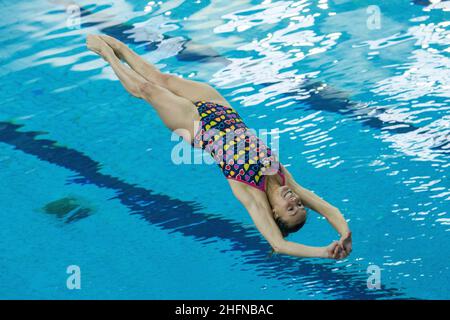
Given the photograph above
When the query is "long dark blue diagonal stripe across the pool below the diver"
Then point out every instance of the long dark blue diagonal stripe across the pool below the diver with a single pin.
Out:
(187, 219)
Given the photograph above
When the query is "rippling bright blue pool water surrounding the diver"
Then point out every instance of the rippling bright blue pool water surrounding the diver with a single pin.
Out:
(359, 95)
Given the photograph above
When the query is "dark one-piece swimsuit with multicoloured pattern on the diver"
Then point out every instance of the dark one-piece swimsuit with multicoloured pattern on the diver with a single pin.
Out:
(240, 154)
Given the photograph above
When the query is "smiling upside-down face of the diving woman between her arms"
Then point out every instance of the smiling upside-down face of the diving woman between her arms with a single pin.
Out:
(288, 206)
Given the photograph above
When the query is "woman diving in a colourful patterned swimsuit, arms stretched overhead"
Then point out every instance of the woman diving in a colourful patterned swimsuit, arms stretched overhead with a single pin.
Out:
(275, 202)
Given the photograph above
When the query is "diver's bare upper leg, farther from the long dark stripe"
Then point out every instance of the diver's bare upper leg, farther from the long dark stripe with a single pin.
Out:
(191, 90)
